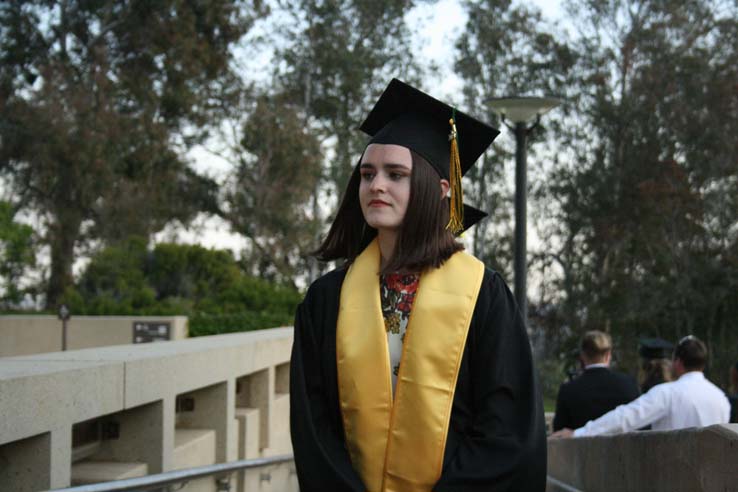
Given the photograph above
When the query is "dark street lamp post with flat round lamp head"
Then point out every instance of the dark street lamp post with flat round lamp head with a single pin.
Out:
(522, 111)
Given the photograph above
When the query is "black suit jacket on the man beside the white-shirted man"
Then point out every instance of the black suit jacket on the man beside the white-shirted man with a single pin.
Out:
(594, 393)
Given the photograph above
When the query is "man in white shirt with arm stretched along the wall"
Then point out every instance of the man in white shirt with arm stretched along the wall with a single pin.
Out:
(689, 401)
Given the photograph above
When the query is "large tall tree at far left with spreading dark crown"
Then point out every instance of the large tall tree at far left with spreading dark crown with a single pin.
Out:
(98, 102)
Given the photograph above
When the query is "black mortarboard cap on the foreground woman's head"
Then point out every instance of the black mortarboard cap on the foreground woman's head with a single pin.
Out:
(405, 116)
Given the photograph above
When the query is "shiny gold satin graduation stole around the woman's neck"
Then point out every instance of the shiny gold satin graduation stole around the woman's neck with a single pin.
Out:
(398, 446)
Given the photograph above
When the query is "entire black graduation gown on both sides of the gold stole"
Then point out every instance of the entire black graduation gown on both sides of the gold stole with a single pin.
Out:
(496, 439)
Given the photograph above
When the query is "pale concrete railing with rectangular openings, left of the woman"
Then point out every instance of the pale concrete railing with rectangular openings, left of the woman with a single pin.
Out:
(123, 411)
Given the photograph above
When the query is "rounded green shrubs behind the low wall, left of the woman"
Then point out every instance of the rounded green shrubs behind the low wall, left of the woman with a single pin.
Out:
(207, 285)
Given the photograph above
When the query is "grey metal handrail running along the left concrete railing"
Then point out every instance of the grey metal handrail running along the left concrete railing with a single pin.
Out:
(178, 476)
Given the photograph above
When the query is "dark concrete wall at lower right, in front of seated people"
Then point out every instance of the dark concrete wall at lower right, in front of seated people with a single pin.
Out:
(689, 460)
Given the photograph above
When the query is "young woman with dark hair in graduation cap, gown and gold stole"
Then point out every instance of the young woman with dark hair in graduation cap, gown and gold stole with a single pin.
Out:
(451, 401)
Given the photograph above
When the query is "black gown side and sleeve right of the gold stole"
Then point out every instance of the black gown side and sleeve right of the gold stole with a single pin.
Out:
(497, 438)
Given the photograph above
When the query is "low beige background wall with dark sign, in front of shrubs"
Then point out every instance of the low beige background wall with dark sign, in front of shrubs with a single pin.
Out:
(25, 335)
